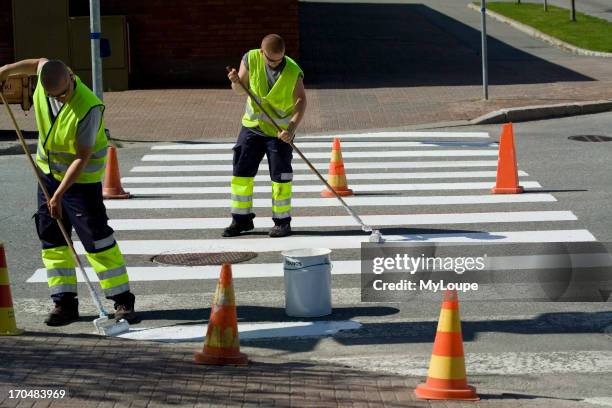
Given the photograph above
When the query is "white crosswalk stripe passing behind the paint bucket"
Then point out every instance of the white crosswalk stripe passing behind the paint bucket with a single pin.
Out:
(275, 270)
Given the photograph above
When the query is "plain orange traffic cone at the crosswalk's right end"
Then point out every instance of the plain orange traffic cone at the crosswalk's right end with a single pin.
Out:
(507, 172)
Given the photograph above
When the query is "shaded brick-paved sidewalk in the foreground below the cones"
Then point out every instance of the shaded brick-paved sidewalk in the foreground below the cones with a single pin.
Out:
(107, 372)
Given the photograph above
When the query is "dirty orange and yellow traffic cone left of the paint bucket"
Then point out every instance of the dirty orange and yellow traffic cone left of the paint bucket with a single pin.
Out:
(222, 344)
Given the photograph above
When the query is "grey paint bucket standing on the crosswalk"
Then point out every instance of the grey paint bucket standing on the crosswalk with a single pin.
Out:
(307, 282)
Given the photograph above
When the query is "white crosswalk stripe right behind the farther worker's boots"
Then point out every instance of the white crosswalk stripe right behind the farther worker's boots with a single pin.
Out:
(148, 224)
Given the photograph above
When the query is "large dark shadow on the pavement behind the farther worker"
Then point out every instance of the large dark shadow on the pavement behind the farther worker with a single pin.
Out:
(397, 45)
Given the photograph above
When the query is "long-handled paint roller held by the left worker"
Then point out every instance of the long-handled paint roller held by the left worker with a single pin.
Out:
(103, 324)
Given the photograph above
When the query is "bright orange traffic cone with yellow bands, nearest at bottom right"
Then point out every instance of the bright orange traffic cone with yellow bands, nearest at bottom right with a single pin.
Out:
(446, 379)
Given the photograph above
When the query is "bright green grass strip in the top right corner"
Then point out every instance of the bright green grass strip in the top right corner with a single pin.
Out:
(587, 32)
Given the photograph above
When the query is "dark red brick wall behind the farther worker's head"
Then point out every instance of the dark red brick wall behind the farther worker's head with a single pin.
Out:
(190, 42)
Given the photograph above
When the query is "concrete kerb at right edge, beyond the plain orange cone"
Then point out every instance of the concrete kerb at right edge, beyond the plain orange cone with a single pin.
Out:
(540, 112)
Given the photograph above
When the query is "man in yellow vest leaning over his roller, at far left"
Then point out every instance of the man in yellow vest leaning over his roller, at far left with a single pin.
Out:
(71, 156)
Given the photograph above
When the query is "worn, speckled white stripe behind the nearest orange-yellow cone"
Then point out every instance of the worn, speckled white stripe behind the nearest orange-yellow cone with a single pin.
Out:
(498, 363)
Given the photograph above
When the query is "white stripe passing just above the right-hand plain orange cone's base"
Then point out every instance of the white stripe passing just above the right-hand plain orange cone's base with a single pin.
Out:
(312, 177)
